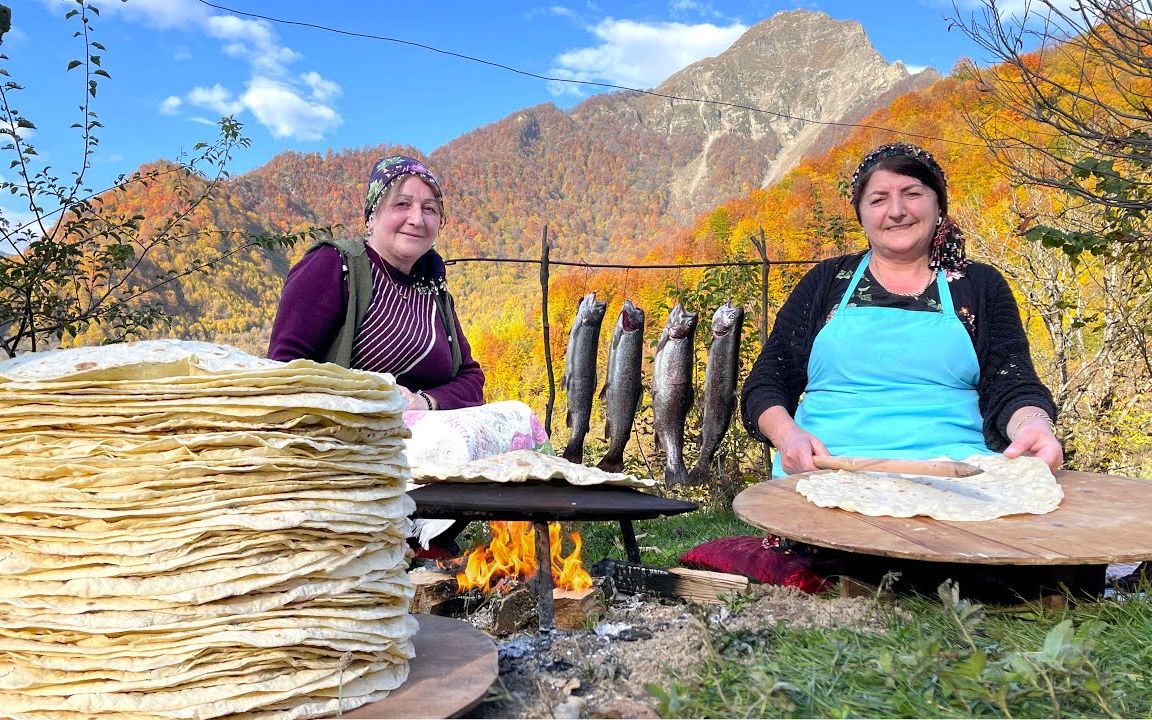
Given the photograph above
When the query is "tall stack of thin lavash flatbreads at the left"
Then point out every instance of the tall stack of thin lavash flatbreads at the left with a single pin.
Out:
(190, 532)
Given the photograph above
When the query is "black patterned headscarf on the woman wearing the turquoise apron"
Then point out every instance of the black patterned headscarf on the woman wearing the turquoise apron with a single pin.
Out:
(948, 251)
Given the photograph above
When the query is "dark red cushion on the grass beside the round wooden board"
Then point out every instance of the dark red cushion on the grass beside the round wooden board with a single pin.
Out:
(756, 558)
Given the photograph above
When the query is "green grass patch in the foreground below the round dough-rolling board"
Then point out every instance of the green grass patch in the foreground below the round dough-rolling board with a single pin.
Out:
(943, 658)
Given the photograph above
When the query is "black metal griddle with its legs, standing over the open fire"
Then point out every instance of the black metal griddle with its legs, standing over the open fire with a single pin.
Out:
(542, 503)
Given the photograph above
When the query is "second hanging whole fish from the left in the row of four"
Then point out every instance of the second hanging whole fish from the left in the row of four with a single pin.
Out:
(623, 385)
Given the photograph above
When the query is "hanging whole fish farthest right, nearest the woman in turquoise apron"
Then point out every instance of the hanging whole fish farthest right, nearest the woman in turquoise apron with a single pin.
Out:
(719, 386)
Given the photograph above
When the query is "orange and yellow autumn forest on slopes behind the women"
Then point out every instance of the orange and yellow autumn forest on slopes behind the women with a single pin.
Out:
(596, 187)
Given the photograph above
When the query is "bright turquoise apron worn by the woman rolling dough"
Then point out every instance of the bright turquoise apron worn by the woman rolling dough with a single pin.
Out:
(889, 383)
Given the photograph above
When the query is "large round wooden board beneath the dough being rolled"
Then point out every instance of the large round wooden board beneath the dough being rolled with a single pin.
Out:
(1102, 520)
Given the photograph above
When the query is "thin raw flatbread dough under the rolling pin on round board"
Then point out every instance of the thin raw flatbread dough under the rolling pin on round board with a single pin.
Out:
(1025, 486)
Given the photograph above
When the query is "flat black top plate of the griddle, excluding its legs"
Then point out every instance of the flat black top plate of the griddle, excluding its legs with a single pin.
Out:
(541, 502)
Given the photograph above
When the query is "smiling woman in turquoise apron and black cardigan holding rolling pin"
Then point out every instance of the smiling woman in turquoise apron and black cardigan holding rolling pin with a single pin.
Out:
(907, 350)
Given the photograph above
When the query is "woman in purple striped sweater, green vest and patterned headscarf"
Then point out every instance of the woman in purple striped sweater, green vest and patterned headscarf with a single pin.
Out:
(381, 304)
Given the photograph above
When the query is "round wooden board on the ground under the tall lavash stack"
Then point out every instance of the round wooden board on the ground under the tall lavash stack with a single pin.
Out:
(456, 665)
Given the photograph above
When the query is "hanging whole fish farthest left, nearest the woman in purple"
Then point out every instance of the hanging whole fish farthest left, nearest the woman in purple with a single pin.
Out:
(580, 373)
